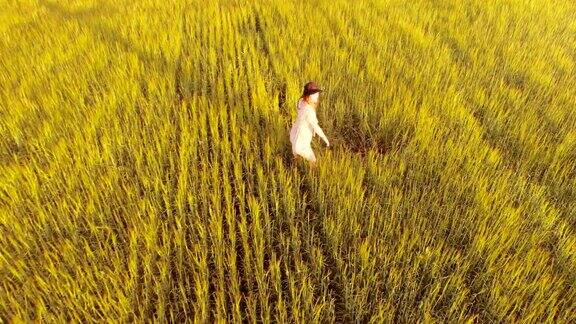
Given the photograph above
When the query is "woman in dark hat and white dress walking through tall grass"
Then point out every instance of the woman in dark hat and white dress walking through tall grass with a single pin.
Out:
(306, 124)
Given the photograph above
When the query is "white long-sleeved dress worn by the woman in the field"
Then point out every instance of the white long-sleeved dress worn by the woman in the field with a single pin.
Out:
(303, 129)
